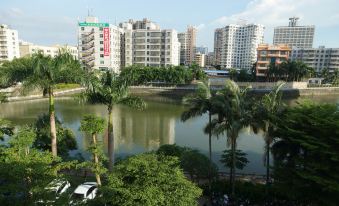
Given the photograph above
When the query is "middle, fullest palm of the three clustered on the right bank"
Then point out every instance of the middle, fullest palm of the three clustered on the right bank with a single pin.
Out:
(233, 115)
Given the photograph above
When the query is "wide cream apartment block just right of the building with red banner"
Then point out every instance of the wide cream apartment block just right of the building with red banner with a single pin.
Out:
(146, 44)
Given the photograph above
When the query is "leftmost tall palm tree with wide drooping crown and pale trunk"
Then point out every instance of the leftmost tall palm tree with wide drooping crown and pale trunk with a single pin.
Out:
(45, 73)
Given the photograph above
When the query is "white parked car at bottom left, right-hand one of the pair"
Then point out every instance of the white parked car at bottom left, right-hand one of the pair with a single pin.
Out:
(84, 192)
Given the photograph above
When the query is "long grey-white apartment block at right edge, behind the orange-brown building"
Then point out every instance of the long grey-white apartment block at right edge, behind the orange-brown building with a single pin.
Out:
(318, 58)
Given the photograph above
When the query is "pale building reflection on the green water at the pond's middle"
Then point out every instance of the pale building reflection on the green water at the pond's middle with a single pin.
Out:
(148, 129)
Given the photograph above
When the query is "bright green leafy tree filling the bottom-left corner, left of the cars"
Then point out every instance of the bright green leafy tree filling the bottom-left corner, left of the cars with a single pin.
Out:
(25, 171)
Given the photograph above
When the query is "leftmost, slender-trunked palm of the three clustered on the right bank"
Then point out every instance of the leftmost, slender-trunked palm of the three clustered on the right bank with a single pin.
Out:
(200, 103)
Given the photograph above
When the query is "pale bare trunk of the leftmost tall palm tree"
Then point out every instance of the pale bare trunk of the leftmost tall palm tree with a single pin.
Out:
(52, 122)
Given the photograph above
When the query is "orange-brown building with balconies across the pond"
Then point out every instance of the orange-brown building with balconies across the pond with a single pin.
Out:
(271, 54)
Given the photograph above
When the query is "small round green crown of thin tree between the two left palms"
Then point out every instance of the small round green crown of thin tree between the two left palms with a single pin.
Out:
(92, 124)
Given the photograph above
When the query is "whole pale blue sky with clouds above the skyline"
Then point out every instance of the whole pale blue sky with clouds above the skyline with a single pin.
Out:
(47, 22)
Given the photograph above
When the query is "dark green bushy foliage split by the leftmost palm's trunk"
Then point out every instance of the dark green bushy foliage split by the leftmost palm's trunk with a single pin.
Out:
(65, 136)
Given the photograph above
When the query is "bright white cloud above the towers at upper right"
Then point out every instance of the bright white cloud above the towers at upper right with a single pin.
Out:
(322, 13)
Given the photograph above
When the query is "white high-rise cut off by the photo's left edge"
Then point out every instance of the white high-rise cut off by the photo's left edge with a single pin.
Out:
(9, 43)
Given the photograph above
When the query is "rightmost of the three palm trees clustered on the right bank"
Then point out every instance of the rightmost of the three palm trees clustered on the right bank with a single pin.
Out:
(268, 109)
